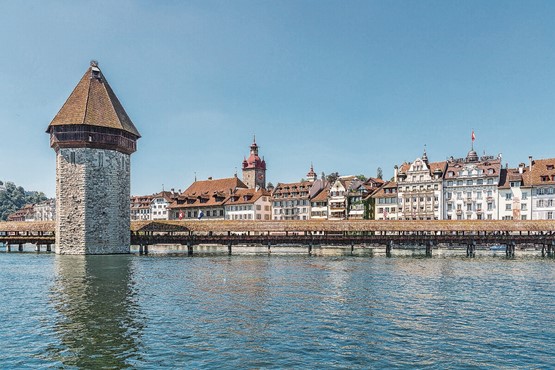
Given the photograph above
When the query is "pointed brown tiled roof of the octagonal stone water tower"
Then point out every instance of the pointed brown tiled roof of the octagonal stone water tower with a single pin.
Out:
(94, 103)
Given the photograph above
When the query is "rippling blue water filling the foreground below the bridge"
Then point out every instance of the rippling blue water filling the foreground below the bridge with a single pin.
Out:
(276, 312)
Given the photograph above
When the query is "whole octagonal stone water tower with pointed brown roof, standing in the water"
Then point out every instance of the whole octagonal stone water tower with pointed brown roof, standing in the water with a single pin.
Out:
(93, 138)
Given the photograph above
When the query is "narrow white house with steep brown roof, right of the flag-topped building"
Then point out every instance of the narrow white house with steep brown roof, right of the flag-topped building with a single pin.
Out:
(514, 194)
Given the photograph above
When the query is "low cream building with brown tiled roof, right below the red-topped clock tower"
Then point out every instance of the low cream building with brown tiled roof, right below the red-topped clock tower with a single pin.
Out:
(248, 204)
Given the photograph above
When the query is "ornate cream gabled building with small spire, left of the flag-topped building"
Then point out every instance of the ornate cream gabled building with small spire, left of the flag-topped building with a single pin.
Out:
(420, 189)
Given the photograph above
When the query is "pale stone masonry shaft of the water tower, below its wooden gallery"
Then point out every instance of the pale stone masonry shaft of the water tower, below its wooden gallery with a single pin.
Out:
(92, 200)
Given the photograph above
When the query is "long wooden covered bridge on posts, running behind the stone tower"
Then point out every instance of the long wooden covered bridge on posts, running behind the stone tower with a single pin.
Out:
(348, 233)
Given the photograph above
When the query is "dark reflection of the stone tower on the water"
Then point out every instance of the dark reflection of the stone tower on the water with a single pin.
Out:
(99, 322)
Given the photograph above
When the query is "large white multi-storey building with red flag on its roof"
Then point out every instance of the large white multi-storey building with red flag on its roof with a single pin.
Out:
(470, 187)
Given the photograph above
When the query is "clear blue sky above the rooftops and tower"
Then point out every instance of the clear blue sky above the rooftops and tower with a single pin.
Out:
(347, 85)
